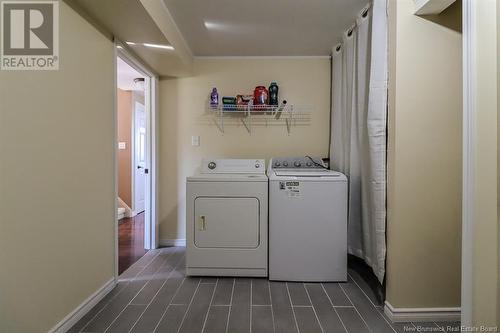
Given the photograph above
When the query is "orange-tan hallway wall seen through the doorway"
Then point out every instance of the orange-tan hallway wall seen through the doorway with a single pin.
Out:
(124, 119)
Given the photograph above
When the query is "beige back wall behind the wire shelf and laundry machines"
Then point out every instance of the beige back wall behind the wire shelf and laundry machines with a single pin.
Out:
(303, 81)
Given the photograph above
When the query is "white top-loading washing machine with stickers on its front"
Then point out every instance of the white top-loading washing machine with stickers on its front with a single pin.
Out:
(307, 221)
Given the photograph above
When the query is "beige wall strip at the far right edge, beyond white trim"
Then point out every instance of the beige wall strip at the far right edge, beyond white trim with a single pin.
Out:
(485, 279)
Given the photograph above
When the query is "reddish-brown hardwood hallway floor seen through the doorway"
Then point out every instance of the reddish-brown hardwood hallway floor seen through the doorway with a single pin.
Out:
(130, 241)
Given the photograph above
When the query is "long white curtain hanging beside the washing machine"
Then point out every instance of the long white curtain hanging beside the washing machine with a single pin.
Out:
(359, 127)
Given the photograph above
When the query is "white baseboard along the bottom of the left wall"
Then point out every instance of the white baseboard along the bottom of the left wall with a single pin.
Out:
(71, 319)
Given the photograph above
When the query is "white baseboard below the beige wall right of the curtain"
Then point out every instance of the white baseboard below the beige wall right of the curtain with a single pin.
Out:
(421, 314)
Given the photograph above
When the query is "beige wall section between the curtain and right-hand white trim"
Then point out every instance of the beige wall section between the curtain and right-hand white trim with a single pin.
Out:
(424, 158)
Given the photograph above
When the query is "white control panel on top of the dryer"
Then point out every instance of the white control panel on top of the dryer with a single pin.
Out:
(230, 166)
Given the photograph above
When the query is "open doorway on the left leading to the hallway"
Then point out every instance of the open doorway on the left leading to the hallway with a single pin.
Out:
(135, 156)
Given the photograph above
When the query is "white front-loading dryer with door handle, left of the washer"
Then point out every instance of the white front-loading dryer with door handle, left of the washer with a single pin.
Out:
(226, 219)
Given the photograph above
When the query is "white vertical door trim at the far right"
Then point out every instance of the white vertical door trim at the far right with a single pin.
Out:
(468, 159)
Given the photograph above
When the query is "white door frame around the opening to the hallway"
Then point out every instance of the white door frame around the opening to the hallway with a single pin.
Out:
(151, 106)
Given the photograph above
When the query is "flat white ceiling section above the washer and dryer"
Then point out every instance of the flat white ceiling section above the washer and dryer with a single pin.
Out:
(263, 27)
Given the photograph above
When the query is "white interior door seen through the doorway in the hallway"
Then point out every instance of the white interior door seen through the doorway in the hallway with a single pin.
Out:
(139, 157)
